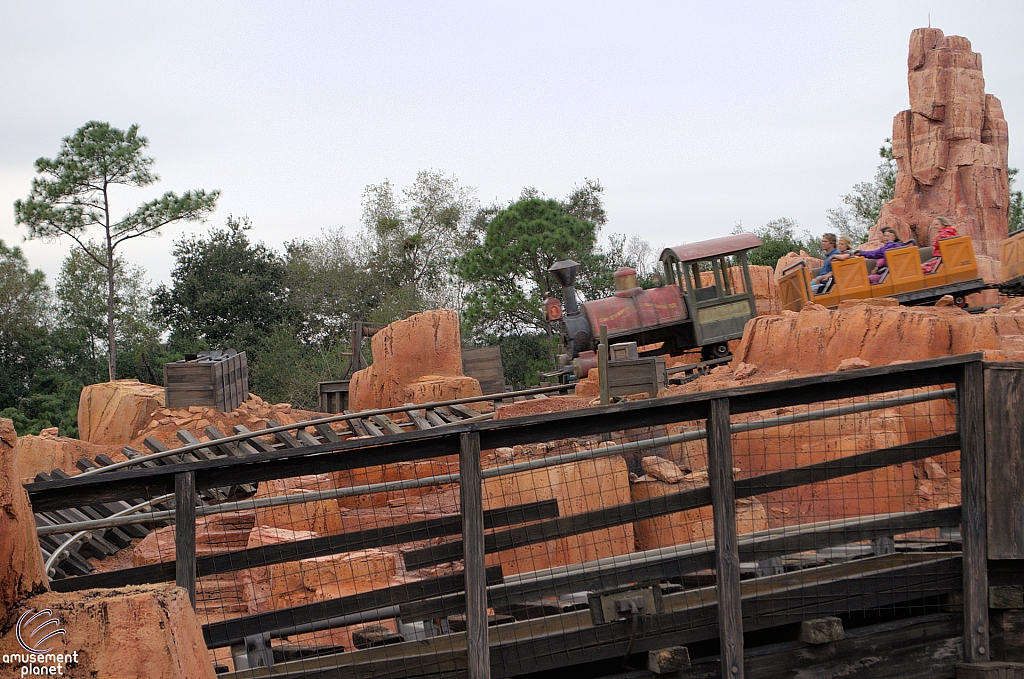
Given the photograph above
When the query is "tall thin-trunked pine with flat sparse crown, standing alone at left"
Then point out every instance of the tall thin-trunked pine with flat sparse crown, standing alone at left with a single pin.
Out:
(72, 196)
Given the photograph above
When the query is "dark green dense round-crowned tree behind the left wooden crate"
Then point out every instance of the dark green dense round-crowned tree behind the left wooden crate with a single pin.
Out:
(226, 291)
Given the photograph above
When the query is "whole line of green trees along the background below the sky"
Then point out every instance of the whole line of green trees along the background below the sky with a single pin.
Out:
(425, 246)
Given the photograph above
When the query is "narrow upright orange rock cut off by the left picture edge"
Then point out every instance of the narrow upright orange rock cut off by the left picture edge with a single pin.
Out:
(21, 562)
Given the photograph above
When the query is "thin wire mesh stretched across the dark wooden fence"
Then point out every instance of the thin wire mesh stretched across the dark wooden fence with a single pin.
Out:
(603, 534)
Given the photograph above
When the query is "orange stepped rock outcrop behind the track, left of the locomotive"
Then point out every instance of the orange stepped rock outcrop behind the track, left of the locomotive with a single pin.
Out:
(418, 360)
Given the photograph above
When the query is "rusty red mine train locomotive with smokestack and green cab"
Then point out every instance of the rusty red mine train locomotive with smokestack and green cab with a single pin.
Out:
(705, 301)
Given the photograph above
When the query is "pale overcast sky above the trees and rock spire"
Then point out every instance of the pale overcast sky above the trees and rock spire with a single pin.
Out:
(694, 116)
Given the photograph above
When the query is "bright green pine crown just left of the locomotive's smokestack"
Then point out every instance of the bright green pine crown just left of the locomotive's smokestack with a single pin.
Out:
(508, 276)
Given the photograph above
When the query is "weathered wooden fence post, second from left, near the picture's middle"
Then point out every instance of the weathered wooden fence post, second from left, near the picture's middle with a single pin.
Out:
(472, 495)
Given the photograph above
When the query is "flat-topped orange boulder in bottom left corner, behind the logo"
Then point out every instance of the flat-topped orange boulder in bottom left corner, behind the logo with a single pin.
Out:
(149, 631)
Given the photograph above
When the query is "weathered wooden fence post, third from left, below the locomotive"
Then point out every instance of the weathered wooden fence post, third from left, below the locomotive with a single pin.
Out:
(723, 496)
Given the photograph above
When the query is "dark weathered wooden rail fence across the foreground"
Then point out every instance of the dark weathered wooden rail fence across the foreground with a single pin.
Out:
(726, 612)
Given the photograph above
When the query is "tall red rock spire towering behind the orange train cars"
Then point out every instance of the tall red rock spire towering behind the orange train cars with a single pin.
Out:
(951, 148)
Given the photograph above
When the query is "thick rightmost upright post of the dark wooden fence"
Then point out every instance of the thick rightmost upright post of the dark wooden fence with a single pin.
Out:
(971, 425)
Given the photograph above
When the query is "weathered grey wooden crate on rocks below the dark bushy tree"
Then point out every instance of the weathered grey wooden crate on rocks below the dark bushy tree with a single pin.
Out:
(214, 380)
